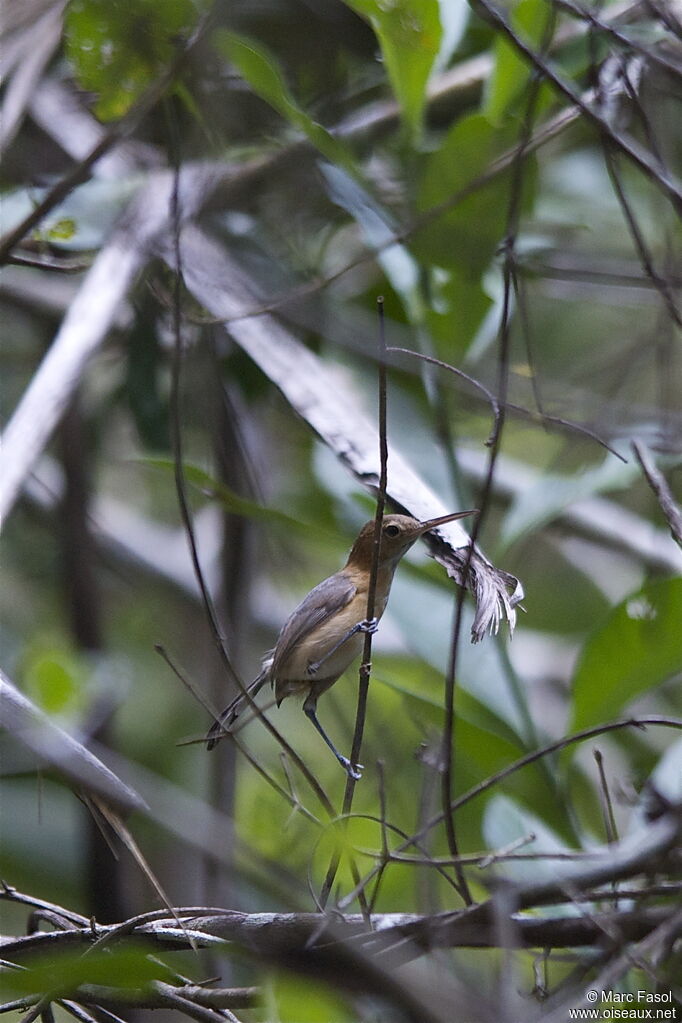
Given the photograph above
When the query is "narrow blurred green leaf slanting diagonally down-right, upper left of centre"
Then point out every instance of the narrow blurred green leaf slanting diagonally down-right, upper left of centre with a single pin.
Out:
(260, 69)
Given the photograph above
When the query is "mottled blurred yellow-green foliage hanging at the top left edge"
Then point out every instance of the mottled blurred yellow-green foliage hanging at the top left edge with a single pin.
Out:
(118, 49)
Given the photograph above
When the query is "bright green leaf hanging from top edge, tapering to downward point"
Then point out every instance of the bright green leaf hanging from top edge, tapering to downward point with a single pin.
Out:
(410, 33)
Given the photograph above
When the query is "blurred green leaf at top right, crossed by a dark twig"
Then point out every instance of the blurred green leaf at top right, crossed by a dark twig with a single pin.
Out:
(512, 72)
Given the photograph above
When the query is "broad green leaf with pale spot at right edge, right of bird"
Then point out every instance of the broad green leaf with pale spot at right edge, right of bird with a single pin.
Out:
(638, 648)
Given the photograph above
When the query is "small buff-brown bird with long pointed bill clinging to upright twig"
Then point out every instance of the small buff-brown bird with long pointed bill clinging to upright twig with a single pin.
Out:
(325, 634)
